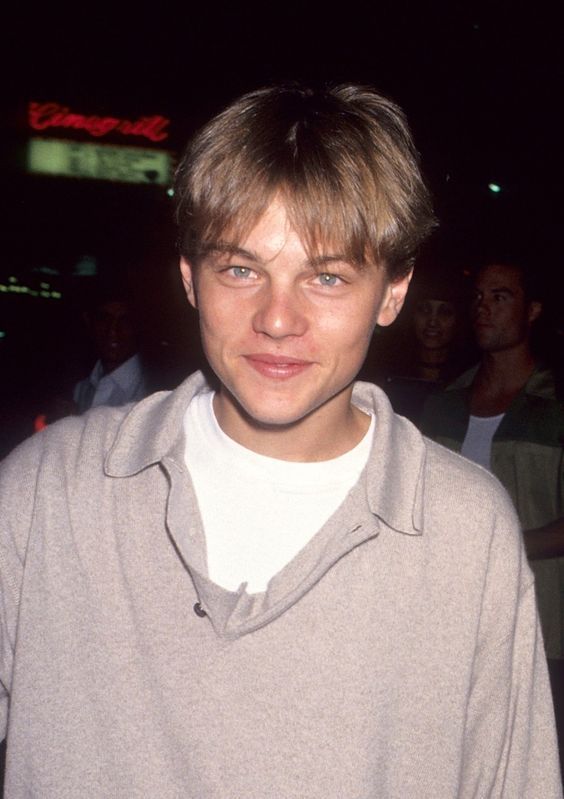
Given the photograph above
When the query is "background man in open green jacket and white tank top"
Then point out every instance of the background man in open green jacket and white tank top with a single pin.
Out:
(507, 414)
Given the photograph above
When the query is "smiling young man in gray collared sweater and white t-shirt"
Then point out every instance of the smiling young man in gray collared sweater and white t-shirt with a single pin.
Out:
(265, 584)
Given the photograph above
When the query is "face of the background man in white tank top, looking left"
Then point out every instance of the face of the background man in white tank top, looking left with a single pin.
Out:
(501, 314)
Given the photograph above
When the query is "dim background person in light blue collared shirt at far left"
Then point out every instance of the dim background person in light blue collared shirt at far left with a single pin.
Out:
(118, 375)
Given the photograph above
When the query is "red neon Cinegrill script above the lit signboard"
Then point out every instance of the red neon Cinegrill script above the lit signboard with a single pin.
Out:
(52, 115)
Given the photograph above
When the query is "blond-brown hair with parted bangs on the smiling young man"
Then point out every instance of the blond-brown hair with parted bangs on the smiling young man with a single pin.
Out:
(342, 160)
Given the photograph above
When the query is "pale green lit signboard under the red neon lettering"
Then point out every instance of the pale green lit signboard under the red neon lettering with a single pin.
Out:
(117, 163)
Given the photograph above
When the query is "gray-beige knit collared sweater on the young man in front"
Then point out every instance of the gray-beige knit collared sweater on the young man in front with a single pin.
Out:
(397, 656)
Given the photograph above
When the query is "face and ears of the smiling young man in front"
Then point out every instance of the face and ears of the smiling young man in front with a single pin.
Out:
(286, 336)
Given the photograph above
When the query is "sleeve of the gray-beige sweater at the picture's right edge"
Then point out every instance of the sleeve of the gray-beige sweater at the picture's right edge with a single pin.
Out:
(510, 740)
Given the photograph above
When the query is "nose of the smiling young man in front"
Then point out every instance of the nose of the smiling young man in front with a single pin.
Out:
(280, 313)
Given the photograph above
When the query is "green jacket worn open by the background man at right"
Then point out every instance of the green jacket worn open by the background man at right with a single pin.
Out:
(528, 458)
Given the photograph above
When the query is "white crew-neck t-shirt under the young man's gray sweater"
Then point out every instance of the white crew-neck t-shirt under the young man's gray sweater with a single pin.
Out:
(259, 512)
